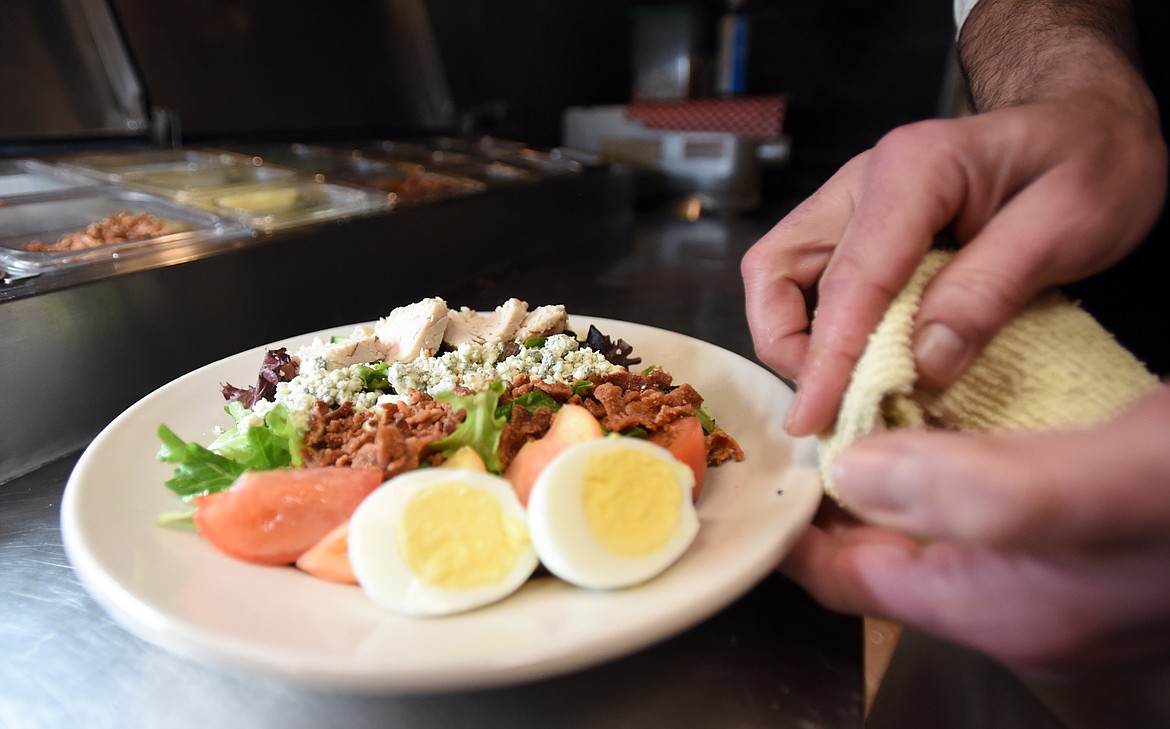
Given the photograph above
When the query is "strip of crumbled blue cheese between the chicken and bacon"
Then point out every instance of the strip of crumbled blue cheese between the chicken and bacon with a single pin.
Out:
(560, 360)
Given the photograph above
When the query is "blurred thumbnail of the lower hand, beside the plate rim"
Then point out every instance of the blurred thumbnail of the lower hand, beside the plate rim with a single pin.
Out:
(870, 482)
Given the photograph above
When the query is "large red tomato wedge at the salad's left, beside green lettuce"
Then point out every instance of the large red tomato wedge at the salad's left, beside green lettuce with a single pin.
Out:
(276, 517)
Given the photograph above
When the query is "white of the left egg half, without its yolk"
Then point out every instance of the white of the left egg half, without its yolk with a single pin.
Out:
(386, 573)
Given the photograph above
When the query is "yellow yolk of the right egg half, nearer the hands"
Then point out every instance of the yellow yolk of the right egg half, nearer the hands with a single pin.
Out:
(631, 501)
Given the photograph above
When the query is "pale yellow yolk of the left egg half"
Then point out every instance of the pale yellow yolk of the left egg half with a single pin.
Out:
(459, 538)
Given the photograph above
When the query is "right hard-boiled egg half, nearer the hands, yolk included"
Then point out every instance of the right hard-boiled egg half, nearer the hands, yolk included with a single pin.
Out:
(612, 513)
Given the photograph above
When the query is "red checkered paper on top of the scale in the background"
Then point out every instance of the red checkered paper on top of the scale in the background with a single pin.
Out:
(761, 118)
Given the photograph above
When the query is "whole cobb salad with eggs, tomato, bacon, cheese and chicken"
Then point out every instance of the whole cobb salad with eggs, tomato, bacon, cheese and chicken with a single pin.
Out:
(441, 457)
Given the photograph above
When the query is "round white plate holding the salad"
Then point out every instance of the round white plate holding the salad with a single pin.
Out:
(174, 589)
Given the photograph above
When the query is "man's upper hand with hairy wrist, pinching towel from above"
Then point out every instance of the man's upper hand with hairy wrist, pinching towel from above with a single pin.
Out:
(1054, 184)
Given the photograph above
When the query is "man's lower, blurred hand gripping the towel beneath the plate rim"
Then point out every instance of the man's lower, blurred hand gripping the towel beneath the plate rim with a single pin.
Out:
(1048, 552)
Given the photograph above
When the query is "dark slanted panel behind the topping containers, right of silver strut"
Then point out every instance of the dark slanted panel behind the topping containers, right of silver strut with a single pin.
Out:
(243, 68)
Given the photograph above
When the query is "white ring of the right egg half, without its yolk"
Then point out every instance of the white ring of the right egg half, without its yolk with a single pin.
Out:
(563, 538)
